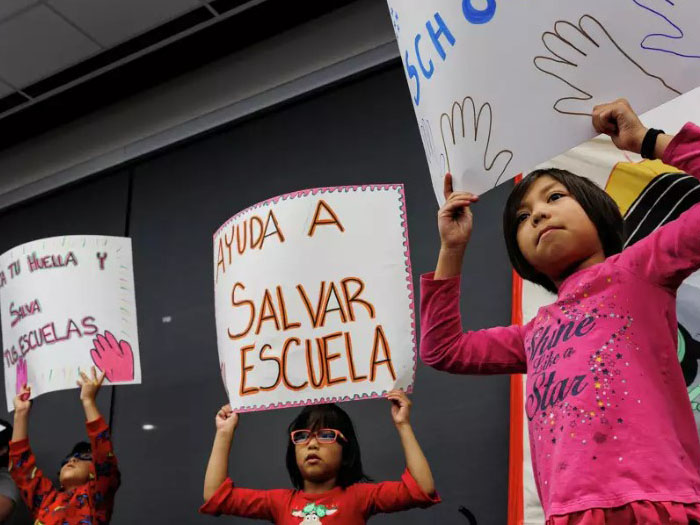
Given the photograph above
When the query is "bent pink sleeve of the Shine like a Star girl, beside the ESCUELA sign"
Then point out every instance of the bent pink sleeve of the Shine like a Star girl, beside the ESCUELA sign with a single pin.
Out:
(446, 347)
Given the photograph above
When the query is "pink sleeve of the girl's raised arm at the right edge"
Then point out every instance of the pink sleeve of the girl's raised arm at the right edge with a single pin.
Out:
(667, 256)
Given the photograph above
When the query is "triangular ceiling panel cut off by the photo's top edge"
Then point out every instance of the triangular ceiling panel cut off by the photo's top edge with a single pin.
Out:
(113, 21)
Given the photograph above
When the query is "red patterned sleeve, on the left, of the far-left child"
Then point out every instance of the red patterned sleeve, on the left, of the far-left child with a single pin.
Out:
(36, 489)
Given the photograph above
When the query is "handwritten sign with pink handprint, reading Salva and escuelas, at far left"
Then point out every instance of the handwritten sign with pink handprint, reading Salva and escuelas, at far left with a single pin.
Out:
(68, 304)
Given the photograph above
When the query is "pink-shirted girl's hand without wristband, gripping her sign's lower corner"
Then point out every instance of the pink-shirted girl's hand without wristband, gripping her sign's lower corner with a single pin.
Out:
(455, 220)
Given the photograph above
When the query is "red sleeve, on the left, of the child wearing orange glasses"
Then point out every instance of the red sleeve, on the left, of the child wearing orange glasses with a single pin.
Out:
(247, 503)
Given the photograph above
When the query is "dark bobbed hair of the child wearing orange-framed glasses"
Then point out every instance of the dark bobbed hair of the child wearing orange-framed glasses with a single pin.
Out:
(328, 416)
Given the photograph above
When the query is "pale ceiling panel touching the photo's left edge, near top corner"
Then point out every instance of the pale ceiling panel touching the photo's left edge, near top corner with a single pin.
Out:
(38, 43)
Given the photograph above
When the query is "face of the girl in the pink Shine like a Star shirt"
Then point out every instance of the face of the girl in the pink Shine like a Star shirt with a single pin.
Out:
(555, 234)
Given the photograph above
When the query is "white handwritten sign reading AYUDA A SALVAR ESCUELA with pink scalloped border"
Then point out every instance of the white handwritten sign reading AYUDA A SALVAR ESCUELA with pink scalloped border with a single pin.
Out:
(314, 298)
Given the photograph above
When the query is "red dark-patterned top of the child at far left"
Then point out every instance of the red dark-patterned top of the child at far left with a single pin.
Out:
(88, 504)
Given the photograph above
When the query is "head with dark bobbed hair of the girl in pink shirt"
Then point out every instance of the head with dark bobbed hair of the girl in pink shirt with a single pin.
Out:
(555, 221)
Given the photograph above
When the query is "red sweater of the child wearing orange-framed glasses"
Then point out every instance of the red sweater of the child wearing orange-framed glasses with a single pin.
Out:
(349, 506)
